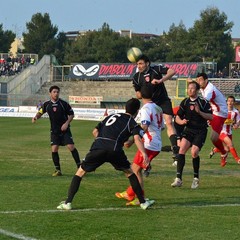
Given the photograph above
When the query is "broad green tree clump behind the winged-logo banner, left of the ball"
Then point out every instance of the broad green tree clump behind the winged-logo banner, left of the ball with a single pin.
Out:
(100, 46)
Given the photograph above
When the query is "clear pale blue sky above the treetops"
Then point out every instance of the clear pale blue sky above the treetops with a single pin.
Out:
(139, 16)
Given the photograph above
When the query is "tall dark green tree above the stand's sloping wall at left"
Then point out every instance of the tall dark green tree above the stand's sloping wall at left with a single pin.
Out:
(40, 35)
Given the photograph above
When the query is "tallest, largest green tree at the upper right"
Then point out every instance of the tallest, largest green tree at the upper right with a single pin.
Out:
(211, 38)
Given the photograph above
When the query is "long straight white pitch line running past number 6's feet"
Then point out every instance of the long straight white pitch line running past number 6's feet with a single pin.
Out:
(120, 209)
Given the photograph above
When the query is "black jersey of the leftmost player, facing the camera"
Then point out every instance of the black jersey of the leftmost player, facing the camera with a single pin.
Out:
(58, 113)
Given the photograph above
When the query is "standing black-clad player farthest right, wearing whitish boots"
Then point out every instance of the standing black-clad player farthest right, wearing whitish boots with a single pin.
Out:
(194, 112)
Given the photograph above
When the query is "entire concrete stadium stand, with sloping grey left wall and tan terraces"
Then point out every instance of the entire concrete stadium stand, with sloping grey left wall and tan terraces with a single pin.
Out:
(32, 85)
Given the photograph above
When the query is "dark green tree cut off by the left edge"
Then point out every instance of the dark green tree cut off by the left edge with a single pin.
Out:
(6, 39)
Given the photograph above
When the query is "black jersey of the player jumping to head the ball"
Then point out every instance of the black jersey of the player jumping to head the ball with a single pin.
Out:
(159, 90)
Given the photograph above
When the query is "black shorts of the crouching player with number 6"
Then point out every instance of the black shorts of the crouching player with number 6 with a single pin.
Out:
(95, 158)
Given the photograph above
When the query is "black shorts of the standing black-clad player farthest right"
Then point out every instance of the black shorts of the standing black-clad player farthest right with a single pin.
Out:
(196, 137)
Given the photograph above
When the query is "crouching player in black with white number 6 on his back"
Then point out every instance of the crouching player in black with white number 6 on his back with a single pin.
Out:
(110, 135)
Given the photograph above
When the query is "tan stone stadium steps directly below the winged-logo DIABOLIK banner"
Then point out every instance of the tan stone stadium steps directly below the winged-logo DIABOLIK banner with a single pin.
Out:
(114, 93)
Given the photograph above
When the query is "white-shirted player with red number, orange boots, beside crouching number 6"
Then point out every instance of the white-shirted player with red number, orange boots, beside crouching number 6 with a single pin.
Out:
(151, 119)
